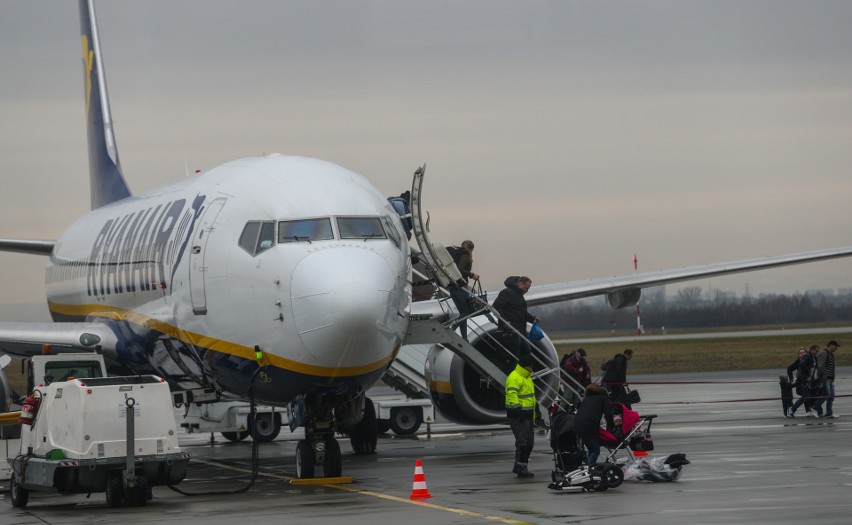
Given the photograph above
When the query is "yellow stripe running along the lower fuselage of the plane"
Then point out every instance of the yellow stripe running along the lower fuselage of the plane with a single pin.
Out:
(217, 345)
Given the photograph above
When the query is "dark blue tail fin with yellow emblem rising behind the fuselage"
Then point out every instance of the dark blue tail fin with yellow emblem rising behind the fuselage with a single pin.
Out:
(105, 177)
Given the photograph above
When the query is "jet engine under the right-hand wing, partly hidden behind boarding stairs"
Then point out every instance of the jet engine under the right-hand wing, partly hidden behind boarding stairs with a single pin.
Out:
(463, 396)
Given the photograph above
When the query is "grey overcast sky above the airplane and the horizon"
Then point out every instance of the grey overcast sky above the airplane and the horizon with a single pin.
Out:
(562, 137)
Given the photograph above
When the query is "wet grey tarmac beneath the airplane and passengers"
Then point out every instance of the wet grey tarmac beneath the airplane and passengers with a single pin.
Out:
(749, 465)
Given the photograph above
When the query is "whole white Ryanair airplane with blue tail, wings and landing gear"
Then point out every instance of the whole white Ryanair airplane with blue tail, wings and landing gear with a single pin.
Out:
(290, 266)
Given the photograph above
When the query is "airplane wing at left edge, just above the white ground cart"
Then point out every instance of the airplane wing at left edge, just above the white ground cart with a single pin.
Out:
(26, 339)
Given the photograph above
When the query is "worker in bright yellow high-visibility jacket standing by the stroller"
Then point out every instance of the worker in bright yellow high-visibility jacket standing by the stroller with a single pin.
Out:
(521, 410)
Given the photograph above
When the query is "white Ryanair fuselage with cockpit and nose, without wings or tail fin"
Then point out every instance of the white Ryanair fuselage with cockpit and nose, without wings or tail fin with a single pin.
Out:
(299, 257)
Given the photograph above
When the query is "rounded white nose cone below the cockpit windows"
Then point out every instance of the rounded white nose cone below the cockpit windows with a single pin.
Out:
(342, 301)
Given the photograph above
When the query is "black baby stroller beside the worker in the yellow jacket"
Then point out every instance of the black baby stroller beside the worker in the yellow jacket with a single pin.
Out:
(569, 459)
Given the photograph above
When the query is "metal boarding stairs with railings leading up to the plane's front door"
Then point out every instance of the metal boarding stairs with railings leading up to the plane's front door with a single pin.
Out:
(488, 356)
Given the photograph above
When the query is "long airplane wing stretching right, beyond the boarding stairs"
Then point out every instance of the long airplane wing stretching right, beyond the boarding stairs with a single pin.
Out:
(624, 290)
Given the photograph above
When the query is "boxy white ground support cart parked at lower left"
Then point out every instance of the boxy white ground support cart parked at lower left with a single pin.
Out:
(110, 434)
